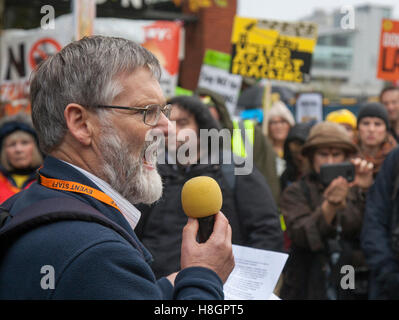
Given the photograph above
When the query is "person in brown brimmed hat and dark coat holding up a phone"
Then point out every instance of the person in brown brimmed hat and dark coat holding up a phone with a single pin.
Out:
(321, 220)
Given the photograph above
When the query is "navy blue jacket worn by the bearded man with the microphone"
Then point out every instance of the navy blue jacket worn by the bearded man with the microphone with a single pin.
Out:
(90, 261)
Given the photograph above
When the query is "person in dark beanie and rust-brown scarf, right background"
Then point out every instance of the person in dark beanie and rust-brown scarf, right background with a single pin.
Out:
(374, 139)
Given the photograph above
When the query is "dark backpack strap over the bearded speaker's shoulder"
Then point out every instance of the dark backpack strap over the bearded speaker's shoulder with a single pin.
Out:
(53, 210)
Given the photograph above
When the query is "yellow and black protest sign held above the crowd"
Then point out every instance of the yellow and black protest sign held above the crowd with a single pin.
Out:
(272, 49)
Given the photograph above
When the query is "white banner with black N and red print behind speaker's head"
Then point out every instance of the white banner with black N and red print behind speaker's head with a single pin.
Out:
(21, 51)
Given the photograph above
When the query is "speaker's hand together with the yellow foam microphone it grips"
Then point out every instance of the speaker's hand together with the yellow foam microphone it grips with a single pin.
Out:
(202, 201)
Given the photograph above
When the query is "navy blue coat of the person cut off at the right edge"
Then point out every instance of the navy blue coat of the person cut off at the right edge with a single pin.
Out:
(375, 236)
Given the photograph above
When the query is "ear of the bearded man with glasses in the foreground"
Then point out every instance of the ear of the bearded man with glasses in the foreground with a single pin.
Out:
(78, 122)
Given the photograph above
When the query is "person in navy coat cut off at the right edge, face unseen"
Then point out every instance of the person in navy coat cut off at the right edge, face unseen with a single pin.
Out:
(380, 232)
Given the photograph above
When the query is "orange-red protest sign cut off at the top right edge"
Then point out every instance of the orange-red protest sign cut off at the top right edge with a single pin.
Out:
(388, 62)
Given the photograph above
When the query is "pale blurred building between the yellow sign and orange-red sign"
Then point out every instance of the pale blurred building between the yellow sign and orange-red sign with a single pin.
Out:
(346, 56)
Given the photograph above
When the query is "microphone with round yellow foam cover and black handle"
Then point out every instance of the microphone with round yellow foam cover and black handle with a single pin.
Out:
(201, 198)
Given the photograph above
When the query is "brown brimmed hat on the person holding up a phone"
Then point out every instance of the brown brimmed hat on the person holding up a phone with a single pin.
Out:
(330, 135)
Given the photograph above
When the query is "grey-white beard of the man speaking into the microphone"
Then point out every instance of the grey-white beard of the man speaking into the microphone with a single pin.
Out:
(125, 172)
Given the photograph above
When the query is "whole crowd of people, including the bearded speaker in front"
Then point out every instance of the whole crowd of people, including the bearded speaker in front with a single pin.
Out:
(87, 145)
